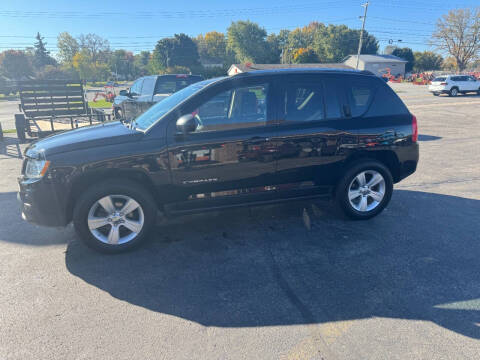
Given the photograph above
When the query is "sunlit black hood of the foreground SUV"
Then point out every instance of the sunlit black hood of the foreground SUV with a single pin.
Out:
(86, 137)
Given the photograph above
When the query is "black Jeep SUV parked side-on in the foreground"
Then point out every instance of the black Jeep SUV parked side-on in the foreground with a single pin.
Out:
(254, 138)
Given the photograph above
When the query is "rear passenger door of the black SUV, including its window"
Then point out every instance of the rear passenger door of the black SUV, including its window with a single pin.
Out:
(309, 130)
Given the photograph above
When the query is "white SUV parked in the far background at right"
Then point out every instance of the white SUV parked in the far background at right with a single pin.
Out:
(454, 84)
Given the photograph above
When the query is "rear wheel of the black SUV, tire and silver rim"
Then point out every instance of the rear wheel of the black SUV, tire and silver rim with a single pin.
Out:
(364, 205)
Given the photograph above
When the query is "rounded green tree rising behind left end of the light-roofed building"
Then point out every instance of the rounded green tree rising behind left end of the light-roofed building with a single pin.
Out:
(247, 40)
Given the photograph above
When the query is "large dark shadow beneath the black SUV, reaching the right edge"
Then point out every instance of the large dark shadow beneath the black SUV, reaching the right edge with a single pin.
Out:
(262, 267)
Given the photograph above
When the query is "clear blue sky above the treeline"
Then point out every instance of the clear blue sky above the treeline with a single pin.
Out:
(137, 25)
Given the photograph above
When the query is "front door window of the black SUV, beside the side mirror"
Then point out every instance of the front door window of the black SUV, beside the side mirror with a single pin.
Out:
(241, 107)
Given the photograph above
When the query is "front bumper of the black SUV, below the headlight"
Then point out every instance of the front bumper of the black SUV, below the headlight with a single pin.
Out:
(40, 204)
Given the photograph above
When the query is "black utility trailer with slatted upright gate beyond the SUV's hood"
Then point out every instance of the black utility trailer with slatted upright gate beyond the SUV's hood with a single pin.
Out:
(49, 106)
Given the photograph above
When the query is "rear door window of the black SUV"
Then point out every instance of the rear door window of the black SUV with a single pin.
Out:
(303, 102)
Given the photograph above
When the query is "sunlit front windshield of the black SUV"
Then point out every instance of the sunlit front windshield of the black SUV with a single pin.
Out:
(156, 112)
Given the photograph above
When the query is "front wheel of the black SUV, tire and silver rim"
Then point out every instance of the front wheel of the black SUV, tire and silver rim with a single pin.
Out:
(109, 233)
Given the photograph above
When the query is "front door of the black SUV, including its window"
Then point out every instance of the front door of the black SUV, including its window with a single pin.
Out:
(229, 152)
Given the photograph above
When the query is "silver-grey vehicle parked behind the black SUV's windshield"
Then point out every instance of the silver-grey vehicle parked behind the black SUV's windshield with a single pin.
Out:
(147, 91)
